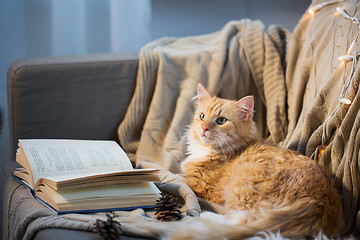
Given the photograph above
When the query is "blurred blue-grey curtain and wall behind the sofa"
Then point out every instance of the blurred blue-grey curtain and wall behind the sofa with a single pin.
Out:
(30, 28)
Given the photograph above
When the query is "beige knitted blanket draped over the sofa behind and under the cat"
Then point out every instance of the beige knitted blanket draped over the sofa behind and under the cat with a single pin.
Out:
(296, 81)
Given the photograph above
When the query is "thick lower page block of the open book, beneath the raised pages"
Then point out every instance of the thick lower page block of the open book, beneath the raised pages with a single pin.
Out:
(100, 197)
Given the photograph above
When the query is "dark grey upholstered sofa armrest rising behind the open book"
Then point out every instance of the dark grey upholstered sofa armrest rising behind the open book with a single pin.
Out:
(73, 97)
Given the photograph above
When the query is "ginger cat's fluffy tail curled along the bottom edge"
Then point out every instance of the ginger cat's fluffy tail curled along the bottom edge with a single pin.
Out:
(296, 220)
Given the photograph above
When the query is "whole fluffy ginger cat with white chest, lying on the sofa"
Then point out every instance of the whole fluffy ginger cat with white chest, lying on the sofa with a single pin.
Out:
(262, 187)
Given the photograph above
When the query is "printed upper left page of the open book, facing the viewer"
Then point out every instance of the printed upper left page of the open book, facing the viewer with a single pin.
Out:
(50, 158)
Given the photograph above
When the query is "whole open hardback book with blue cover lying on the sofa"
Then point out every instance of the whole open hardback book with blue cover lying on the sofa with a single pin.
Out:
(84, 175)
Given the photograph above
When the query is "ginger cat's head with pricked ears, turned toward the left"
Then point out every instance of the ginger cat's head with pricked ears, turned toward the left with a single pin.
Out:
(221, 123)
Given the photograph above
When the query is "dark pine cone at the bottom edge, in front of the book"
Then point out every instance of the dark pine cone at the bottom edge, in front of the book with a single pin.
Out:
(109, 229)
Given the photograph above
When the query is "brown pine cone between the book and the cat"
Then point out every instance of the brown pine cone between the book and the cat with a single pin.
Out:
(167, 209)
